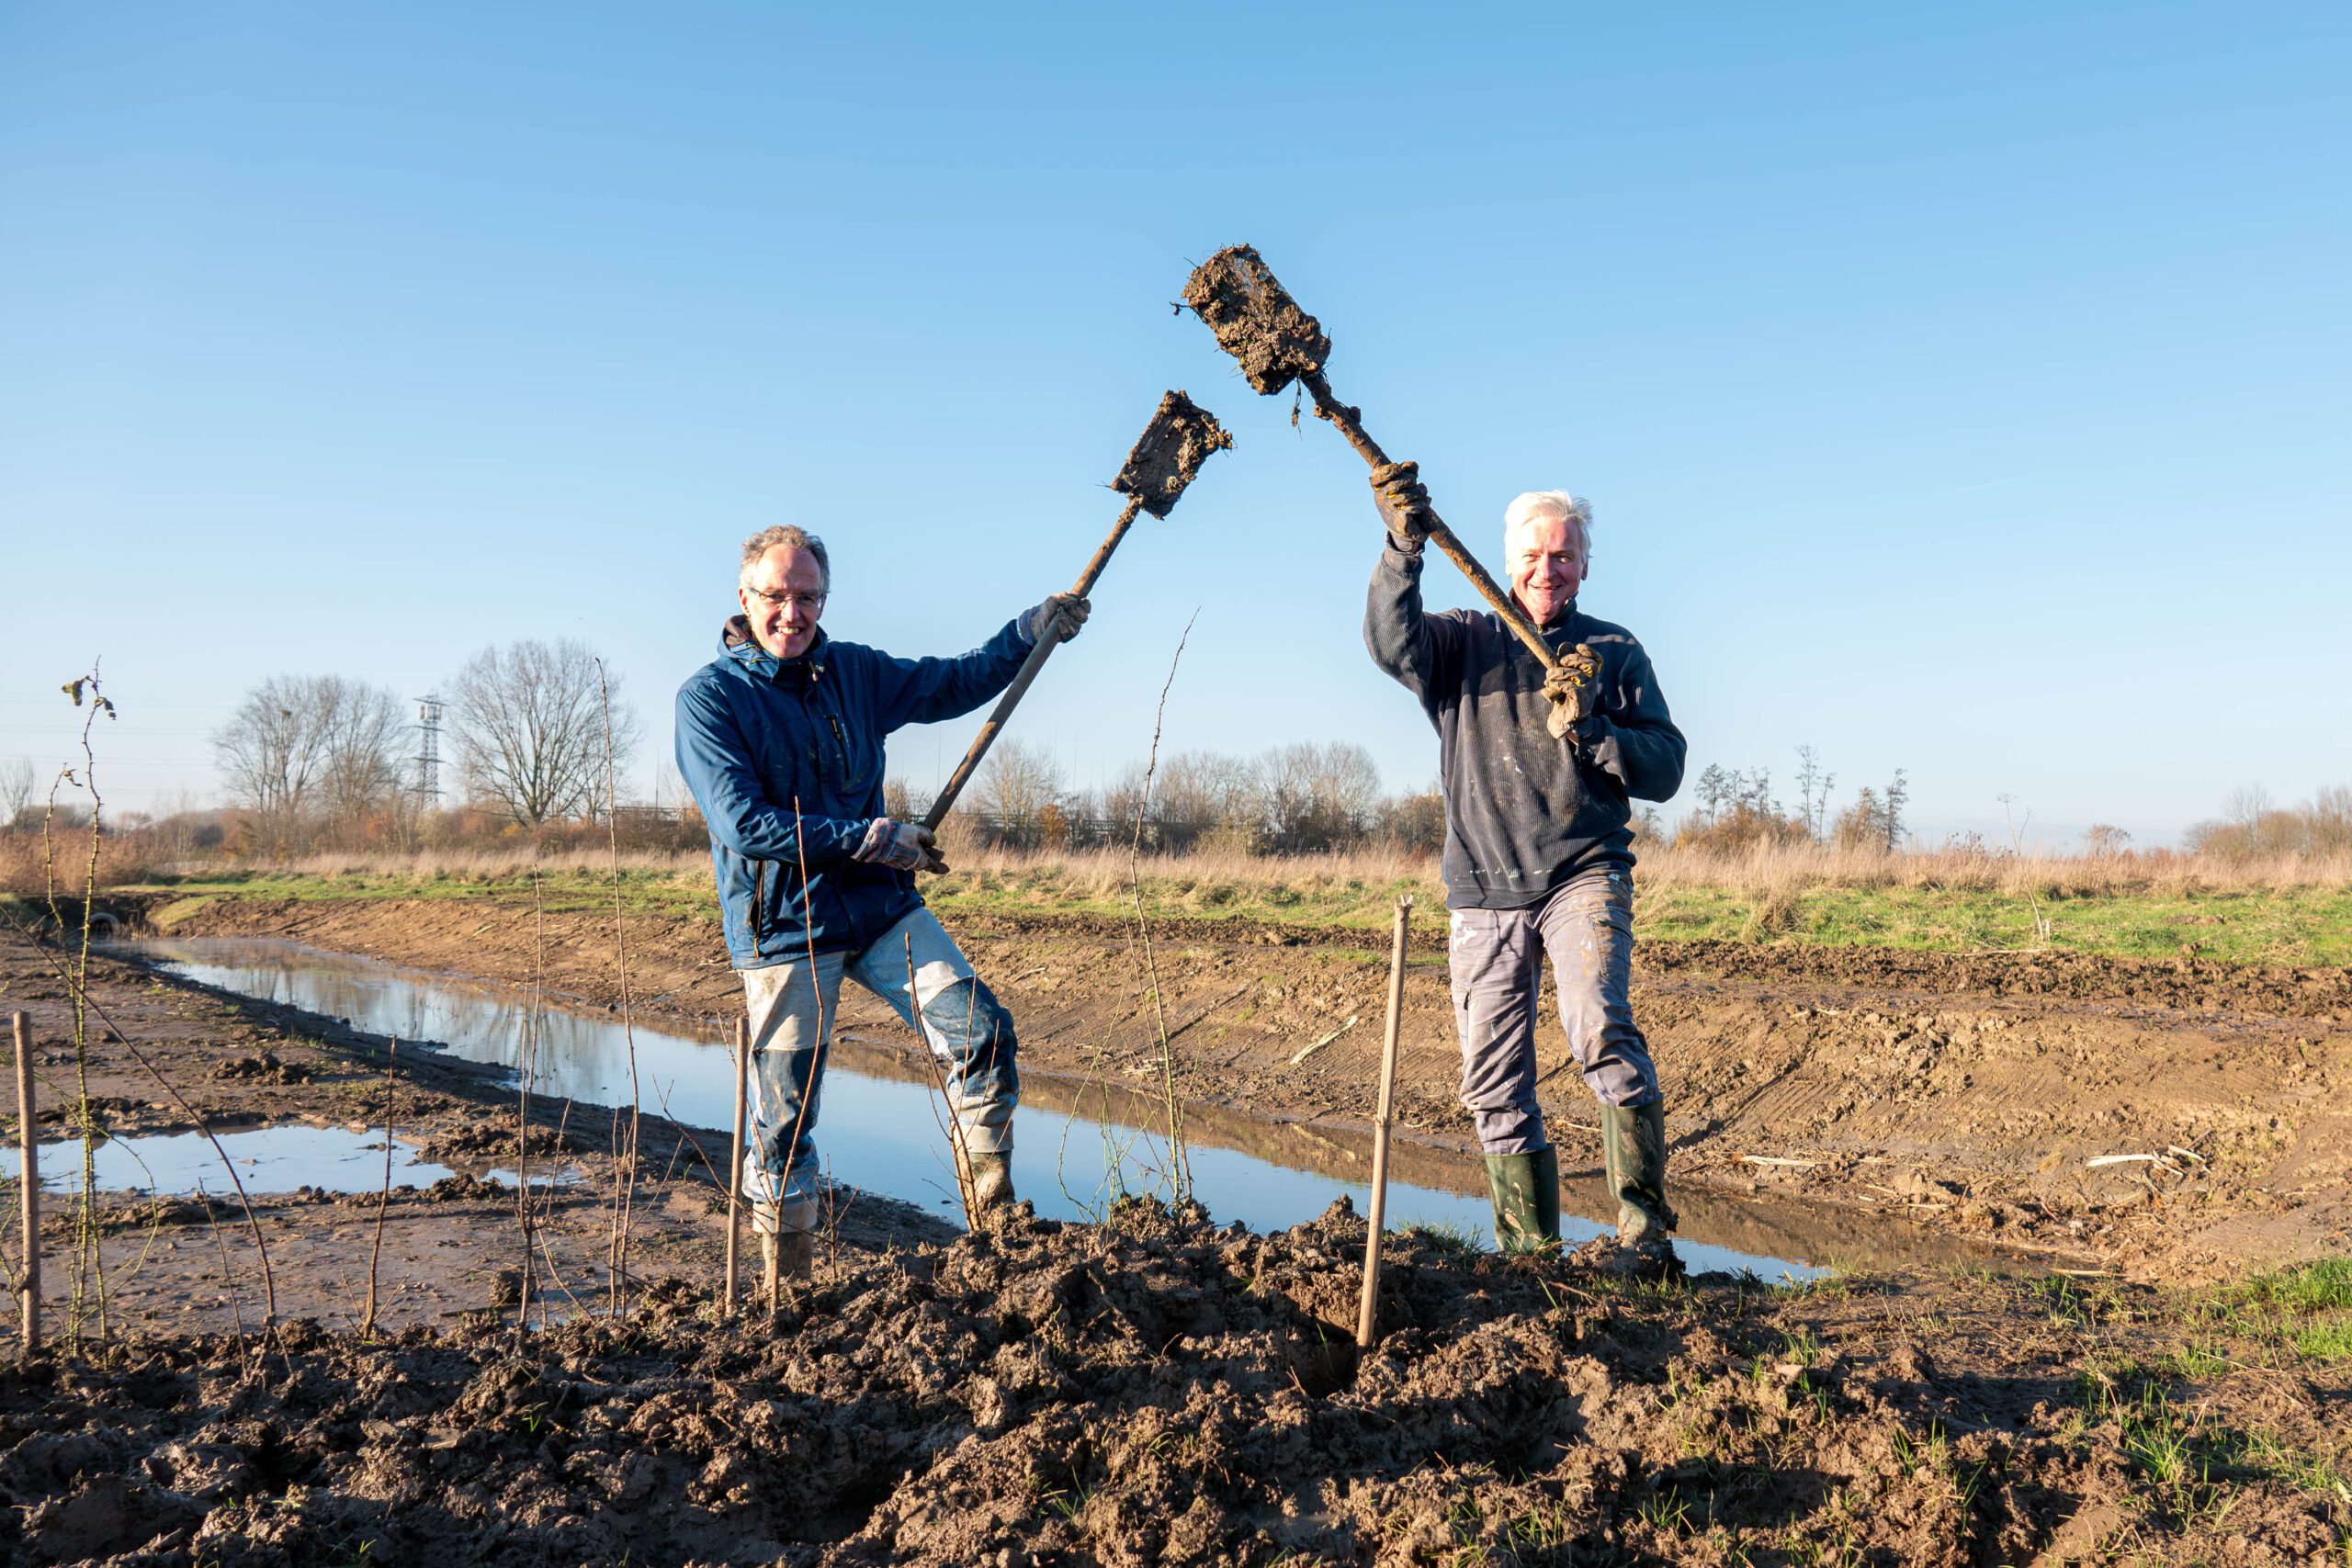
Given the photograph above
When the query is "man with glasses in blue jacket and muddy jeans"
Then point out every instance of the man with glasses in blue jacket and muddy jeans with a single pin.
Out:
(782, 744)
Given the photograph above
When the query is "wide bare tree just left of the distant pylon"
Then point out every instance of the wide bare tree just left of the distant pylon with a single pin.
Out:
(312, 744)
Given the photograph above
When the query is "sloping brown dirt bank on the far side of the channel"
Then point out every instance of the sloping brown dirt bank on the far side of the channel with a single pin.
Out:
(1965, 1092)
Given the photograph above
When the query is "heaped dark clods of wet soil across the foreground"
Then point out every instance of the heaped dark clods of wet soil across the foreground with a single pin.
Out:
(1163, 1393)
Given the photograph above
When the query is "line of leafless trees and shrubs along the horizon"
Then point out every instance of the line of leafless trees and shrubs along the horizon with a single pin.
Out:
(535, 730)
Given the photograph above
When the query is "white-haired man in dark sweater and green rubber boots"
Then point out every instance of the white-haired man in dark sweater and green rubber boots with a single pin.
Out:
(1539, 775)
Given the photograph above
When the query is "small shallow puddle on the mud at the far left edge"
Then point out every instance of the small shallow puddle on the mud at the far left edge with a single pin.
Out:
(269, 1160)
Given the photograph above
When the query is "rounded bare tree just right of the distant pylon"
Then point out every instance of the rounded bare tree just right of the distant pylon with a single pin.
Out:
(528, 723)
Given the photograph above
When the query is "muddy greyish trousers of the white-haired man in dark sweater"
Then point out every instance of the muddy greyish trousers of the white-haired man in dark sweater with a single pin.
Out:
(1497, 960)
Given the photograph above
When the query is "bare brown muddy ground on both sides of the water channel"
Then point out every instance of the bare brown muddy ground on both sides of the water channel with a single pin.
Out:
(1151, 1391)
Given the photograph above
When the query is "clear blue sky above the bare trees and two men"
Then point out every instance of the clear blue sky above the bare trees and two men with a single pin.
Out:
(1958, 389)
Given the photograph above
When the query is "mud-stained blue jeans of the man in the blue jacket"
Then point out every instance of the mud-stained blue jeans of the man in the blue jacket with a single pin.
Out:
(791, 1031)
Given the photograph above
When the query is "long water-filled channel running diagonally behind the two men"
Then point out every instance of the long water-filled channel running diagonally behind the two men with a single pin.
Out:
(1074, 1144)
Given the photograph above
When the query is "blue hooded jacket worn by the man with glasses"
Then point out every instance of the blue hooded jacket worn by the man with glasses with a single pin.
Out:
(787, 763)
